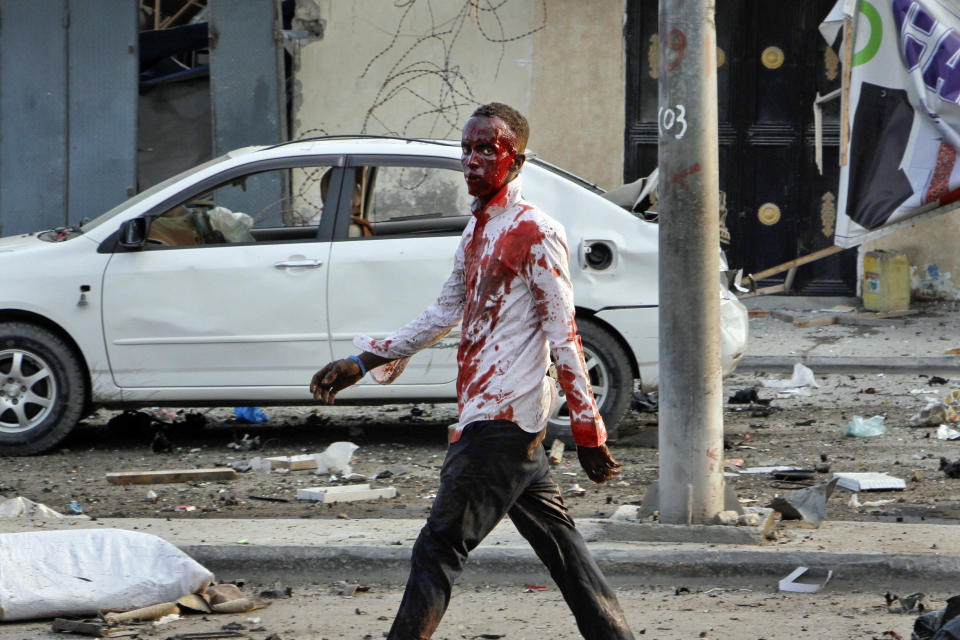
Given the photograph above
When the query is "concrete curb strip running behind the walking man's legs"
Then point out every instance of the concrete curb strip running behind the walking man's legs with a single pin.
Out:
(885, 556)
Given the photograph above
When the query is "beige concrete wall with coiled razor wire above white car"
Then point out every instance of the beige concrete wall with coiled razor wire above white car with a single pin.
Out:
(421, 68)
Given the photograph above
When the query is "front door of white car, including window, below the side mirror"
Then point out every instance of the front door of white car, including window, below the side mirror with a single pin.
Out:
(230, 290)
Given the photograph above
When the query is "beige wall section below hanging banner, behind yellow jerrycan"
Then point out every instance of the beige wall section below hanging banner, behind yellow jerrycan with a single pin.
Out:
(931, 248)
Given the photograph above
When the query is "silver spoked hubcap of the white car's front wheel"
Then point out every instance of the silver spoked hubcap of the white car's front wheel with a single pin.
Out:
(27, 390)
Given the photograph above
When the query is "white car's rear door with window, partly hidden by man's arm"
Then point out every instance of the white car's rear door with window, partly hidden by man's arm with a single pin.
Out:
(390, 257)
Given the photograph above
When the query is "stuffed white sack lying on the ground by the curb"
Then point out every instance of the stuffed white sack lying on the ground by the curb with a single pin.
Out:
(44, 574)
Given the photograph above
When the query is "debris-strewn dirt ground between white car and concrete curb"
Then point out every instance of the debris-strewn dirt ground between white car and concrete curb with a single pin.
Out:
(404, 445)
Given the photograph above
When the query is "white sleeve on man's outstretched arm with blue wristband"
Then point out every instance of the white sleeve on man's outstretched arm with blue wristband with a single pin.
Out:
(423, 331)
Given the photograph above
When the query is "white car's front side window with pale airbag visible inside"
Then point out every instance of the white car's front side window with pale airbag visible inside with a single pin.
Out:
(276, 205)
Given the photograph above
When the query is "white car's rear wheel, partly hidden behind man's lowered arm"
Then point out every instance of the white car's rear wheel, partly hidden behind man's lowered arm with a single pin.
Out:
(609, 369)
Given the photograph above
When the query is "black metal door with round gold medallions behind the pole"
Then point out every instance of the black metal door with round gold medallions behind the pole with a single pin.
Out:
(772, 62)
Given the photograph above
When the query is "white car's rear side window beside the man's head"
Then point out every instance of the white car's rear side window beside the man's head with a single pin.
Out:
(392, 201)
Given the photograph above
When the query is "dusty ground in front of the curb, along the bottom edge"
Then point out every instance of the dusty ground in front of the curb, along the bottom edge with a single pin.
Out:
(518, 613)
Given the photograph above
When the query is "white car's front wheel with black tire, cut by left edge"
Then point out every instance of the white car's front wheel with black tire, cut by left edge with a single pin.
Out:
(43, 389)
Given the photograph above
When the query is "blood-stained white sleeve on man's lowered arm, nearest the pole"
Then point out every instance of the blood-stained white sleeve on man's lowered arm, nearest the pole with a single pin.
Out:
(548, 274)
